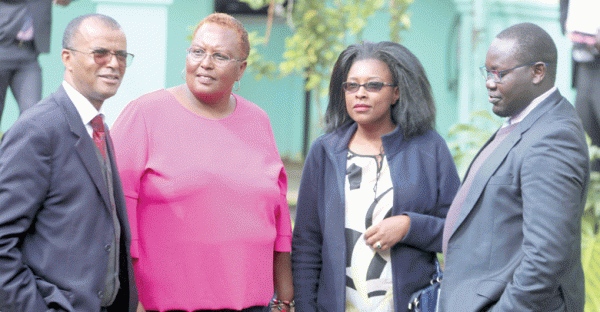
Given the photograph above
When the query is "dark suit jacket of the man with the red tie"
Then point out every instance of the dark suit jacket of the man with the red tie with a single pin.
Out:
(55, 222)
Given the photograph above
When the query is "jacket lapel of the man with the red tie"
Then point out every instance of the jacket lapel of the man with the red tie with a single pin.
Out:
(84, 145)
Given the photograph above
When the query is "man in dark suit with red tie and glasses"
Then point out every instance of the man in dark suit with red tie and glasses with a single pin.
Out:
(64, 234)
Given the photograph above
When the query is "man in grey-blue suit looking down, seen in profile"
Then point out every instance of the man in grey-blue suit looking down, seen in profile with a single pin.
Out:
(512, 237)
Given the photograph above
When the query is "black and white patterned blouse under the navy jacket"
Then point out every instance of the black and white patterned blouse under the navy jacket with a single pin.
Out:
(369, 199)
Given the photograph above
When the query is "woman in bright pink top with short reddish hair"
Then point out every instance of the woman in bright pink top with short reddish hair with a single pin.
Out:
(205, 186)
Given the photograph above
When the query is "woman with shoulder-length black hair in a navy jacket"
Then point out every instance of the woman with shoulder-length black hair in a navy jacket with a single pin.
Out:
(375, 188)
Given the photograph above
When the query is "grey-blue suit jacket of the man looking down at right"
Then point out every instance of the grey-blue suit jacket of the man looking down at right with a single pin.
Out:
(516, 245)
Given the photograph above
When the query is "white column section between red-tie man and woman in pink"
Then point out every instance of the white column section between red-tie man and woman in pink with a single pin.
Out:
(145, 25)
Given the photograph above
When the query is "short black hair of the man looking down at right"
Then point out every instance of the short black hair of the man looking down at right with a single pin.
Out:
(533, 44)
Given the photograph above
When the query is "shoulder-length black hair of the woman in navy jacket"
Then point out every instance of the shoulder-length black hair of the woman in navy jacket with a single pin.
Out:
(414, 111)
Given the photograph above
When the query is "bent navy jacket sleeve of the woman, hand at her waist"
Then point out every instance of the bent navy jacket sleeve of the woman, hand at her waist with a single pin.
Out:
(426, 228)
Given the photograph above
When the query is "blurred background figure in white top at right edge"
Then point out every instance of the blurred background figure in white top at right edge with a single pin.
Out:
(579, 21)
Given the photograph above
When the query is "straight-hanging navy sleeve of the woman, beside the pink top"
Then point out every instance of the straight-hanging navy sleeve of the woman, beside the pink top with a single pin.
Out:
(307, 237)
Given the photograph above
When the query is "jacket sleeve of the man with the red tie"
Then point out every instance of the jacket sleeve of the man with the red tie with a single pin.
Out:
(25, 169)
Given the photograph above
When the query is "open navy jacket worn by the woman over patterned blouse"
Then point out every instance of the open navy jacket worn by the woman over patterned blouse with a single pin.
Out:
(425, 181)
